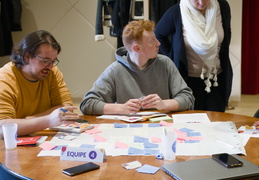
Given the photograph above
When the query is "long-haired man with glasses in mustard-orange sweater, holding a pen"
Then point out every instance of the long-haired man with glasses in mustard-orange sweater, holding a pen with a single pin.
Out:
(32, 89)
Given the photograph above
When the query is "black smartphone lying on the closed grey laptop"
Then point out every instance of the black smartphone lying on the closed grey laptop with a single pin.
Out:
(227, 160)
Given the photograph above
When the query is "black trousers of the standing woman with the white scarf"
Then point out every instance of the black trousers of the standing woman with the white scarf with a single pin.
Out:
(212, 101)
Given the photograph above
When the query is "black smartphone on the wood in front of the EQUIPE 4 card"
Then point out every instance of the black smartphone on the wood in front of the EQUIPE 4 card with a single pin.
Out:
(81, 169)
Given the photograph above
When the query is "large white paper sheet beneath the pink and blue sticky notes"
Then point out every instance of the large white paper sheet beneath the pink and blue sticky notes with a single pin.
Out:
(211, 133)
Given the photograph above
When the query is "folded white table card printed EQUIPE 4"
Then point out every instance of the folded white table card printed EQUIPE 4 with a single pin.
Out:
(82, 154)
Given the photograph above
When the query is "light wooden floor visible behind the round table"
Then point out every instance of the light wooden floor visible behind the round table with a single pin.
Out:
(248, 105)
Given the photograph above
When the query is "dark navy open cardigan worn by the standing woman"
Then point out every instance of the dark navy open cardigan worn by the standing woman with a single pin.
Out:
(169, 34)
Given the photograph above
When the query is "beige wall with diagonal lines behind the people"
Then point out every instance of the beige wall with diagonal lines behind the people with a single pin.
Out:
(72, 22)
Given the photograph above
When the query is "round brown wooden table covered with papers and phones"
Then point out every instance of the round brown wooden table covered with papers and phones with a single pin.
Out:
(24, 160)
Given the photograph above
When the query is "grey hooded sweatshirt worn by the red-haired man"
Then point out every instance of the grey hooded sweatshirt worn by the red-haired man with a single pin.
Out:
(122, 81)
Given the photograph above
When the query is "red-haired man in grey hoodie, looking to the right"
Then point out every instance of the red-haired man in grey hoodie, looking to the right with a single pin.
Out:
(140, 78)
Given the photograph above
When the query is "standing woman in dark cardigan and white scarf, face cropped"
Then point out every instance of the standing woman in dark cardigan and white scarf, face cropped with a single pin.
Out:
(196, 34)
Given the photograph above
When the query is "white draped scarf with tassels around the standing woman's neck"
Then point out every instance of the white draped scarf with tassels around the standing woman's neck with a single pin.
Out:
(202, 36)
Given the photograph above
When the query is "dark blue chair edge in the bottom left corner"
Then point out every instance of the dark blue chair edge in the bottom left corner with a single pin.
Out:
(8, 174)
